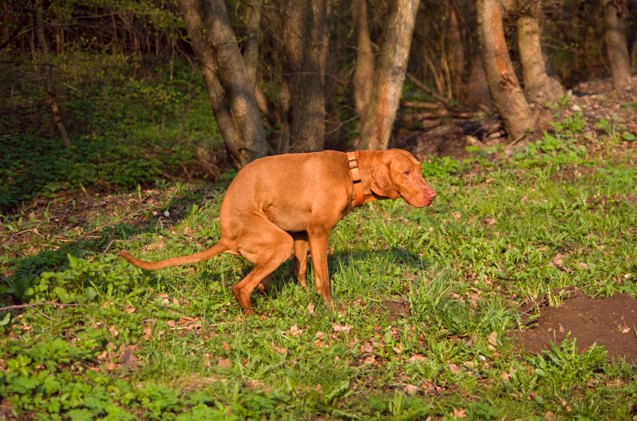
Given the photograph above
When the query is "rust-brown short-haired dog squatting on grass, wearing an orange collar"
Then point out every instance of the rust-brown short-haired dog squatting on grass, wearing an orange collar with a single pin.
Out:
(289, 202)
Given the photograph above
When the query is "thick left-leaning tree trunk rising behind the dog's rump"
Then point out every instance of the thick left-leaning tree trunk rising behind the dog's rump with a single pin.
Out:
(230, 90)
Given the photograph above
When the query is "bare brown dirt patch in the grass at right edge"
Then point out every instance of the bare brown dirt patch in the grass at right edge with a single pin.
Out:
(611, 322)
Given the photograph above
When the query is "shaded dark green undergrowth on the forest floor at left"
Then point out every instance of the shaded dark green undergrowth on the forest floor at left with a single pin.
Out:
(130, 125)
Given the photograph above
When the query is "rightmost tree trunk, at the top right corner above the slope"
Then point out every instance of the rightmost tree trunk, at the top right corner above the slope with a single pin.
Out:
(616, 46)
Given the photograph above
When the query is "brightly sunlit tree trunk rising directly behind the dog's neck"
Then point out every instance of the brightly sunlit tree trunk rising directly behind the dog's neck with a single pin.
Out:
(390, 75)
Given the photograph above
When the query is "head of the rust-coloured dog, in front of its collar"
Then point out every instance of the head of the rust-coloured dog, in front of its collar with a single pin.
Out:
(399, 176)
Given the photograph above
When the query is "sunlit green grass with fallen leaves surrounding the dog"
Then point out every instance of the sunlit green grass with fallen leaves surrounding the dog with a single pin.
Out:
(173, 343)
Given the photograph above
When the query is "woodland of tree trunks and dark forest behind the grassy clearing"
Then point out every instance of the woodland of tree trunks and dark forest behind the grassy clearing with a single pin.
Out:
(299, 75)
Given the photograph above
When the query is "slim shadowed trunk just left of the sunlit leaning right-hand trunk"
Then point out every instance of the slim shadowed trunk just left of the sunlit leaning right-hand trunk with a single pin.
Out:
(455, 48)
